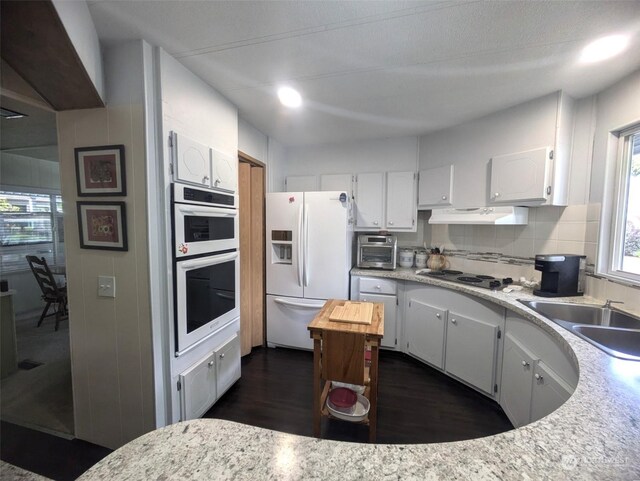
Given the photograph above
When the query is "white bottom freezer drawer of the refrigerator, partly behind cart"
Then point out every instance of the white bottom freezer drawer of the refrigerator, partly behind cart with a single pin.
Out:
(287, 321)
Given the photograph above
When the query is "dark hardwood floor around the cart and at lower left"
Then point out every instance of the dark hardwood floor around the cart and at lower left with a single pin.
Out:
(416, 405)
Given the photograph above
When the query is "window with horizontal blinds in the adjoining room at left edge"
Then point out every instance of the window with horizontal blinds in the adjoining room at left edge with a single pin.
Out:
(30, 224)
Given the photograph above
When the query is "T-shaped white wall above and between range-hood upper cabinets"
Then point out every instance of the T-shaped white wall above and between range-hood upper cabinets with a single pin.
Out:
(471, 145)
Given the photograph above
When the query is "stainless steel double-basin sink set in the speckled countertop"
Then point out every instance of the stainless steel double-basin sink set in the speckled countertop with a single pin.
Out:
(615, 332)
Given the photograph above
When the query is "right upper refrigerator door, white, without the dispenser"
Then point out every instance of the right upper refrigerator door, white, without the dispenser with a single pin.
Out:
(327, 246)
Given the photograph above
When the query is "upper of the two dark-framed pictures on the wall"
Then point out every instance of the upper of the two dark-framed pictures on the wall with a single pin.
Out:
(100, 171)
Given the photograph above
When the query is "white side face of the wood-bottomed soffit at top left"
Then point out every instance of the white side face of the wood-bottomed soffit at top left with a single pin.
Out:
(79, 25)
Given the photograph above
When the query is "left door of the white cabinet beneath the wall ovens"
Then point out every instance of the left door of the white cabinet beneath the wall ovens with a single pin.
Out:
(198, 388)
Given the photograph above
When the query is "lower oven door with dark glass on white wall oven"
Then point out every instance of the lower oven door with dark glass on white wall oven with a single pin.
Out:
(206, 297)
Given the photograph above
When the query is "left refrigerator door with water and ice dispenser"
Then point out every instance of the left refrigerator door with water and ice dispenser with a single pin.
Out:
(284, 269)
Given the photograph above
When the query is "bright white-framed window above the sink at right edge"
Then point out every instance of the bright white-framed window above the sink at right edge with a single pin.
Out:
(624, 252)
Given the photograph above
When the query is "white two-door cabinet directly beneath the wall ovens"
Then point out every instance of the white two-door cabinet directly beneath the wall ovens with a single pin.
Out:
(203, 383)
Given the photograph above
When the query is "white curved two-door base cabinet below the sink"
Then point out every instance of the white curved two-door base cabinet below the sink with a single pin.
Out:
(537, 375)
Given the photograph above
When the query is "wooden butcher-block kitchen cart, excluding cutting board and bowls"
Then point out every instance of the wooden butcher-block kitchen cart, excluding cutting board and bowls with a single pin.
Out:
(339, 355)
